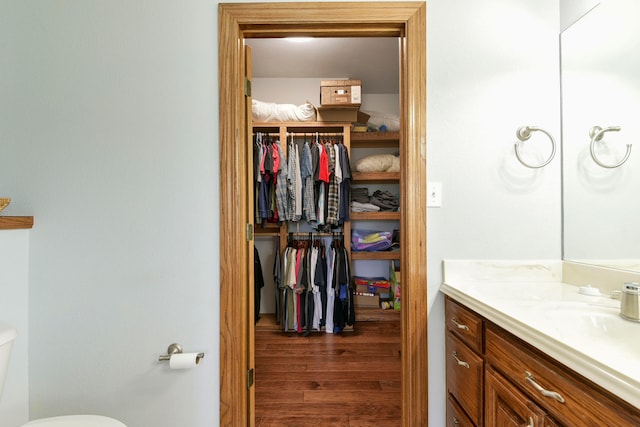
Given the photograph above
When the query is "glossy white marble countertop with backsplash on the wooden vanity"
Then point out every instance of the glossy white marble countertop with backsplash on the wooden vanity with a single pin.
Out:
(529, 299)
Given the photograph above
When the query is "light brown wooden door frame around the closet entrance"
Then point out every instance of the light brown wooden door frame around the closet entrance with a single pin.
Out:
(406, 20)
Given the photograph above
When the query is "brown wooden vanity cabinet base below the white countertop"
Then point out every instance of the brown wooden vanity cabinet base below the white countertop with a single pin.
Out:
(523, 386)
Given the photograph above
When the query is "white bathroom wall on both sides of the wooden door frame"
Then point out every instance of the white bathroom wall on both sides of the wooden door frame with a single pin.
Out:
(109, 137)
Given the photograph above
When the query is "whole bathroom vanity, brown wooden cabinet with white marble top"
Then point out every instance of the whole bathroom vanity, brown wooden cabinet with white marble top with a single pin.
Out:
(524, 348)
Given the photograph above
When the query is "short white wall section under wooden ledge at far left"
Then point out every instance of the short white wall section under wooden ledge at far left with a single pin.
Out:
(14, 294)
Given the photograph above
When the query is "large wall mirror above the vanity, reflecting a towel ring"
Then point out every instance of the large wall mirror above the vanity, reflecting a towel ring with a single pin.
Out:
(600, 57)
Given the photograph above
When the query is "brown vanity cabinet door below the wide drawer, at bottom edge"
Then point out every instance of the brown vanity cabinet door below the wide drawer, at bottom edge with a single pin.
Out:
(507, 406)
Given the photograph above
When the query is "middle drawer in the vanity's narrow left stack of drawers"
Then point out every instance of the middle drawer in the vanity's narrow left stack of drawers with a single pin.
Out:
(465, 377)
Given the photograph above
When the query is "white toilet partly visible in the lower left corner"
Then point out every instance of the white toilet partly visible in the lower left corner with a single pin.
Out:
(7, 336)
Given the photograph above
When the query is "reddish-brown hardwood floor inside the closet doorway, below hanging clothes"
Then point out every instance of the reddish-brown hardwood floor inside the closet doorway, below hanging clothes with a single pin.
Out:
(351, 379)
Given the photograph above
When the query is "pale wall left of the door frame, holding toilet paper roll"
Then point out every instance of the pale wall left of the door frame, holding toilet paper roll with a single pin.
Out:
(109, 138)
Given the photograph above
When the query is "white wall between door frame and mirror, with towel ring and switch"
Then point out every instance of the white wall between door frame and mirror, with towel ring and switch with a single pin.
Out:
(492, 66)
